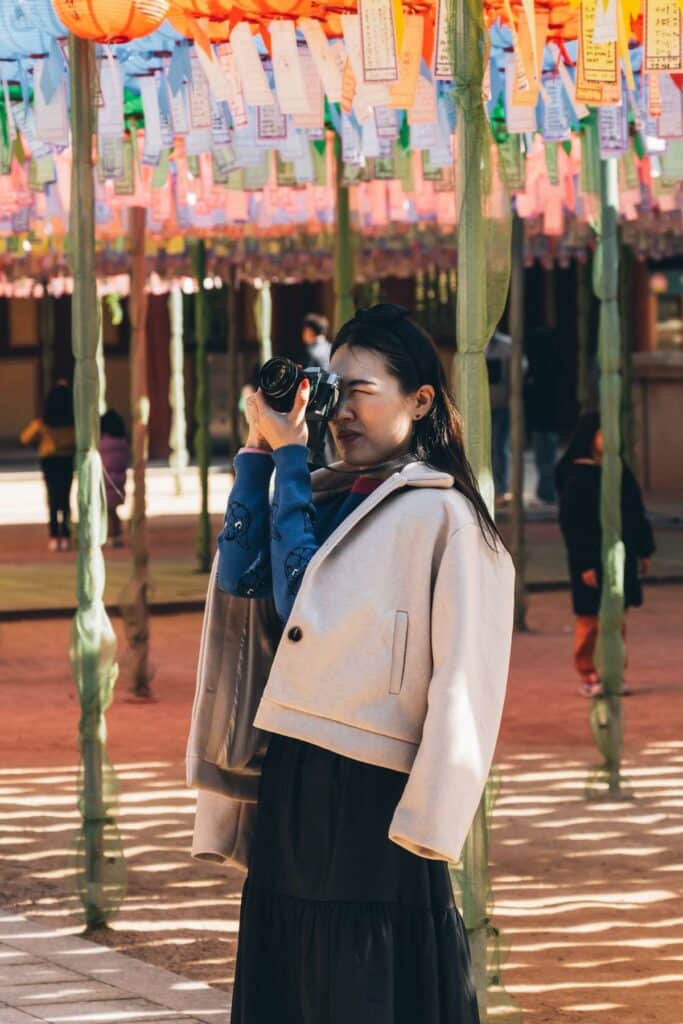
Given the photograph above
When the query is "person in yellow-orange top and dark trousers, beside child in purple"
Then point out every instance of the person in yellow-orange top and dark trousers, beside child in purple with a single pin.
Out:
(57, 446)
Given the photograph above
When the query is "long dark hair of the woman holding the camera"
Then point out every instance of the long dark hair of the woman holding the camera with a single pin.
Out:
(412, 358)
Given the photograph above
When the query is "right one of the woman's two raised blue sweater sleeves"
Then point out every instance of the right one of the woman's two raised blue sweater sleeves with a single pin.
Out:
(293, 541)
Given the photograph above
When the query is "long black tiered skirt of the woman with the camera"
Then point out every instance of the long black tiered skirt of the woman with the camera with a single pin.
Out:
(339, 925)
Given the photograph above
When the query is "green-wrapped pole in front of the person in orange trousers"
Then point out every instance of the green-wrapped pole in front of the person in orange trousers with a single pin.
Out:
(607, 711)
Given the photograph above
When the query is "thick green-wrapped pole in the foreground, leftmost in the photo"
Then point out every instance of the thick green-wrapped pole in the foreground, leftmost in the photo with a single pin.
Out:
(100, 862)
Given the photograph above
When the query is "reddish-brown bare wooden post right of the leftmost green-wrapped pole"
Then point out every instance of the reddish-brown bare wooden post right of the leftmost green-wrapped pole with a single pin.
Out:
(139, 622)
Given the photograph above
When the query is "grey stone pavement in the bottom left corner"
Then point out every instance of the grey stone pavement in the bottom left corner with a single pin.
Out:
(49, 976)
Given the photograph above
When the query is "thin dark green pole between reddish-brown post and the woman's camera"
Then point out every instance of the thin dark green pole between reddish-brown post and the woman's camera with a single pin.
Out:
(202, 442)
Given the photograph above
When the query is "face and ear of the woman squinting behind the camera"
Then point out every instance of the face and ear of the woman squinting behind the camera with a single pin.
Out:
(374, 421)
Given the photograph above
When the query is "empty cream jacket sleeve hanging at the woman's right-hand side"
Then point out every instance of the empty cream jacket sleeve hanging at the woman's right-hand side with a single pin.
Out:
(472, 633)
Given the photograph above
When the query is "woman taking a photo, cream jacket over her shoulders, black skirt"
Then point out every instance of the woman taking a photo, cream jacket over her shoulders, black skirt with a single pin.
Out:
(375, 732)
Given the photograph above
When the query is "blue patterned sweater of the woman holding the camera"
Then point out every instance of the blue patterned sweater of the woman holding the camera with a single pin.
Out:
(265, 550)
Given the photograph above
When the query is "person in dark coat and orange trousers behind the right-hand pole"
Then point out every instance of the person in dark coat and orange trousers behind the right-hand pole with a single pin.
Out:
(578, 478)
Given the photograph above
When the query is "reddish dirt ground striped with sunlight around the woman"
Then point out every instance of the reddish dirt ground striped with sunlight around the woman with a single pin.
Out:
(587, 895)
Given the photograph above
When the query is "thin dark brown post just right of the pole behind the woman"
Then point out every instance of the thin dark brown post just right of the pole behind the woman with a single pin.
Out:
(518, 540)
